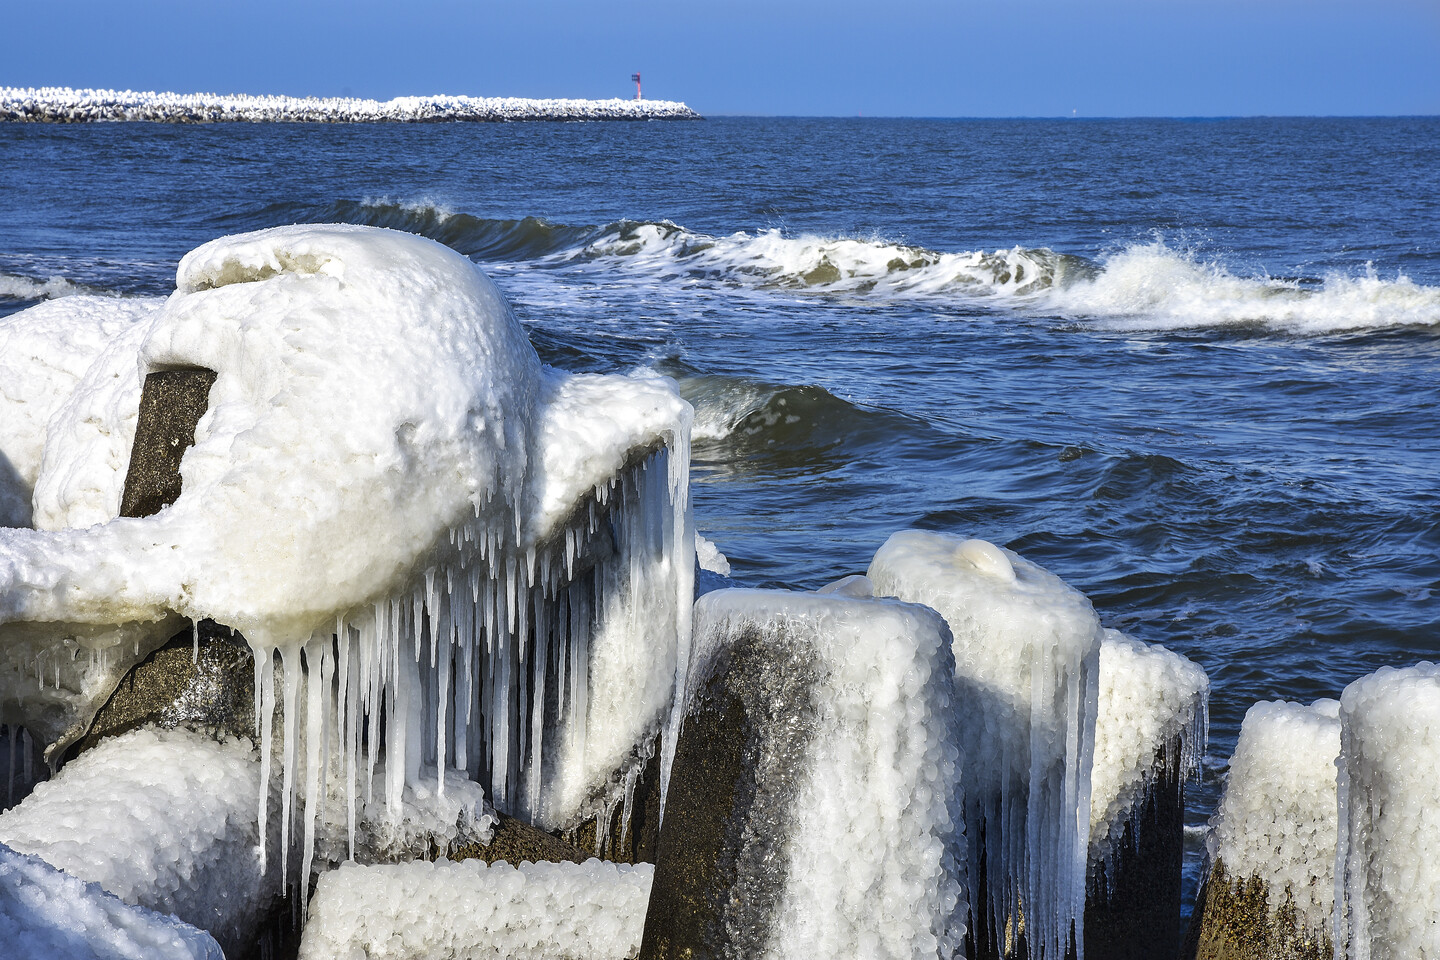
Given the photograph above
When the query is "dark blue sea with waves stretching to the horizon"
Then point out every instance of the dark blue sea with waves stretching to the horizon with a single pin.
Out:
(1197, 381)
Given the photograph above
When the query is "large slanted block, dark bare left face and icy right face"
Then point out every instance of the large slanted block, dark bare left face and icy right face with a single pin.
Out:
(816, 795)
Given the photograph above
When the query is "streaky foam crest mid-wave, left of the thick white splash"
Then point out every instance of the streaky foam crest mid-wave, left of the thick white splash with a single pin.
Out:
(840, 266)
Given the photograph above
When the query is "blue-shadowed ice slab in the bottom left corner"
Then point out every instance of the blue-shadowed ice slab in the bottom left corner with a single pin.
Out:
(47, 915)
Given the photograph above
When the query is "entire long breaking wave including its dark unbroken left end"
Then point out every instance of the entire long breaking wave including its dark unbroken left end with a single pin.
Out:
(1148, 286)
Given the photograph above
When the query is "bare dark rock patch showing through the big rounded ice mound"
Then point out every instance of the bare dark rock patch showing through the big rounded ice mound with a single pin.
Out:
(171, 405)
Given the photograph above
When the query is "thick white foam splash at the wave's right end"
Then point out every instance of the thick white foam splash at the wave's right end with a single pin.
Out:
(1157, 287)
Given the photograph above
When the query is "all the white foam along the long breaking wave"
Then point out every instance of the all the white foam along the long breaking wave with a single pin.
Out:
(1141, 287)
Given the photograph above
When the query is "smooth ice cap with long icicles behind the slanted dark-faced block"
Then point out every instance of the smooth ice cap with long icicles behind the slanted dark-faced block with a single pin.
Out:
(1027, 653)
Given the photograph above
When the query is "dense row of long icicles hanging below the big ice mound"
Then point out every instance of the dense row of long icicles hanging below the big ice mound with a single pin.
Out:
(480, 666)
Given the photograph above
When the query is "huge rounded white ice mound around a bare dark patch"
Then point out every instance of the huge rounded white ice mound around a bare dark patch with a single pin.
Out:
(374, 391)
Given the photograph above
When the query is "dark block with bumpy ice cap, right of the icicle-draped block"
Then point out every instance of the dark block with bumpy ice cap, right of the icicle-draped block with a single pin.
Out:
(1150, 735)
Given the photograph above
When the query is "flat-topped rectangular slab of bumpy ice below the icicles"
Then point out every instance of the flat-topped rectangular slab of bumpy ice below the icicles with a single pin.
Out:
(531, 912)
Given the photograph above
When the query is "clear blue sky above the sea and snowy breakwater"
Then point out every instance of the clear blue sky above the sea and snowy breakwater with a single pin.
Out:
(921, 58)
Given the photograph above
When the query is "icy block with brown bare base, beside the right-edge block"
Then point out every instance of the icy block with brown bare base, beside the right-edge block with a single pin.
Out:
(1271, 847)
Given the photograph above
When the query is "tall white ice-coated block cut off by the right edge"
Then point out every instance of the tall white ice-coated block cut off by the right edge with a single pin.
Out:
(1387, 866)
